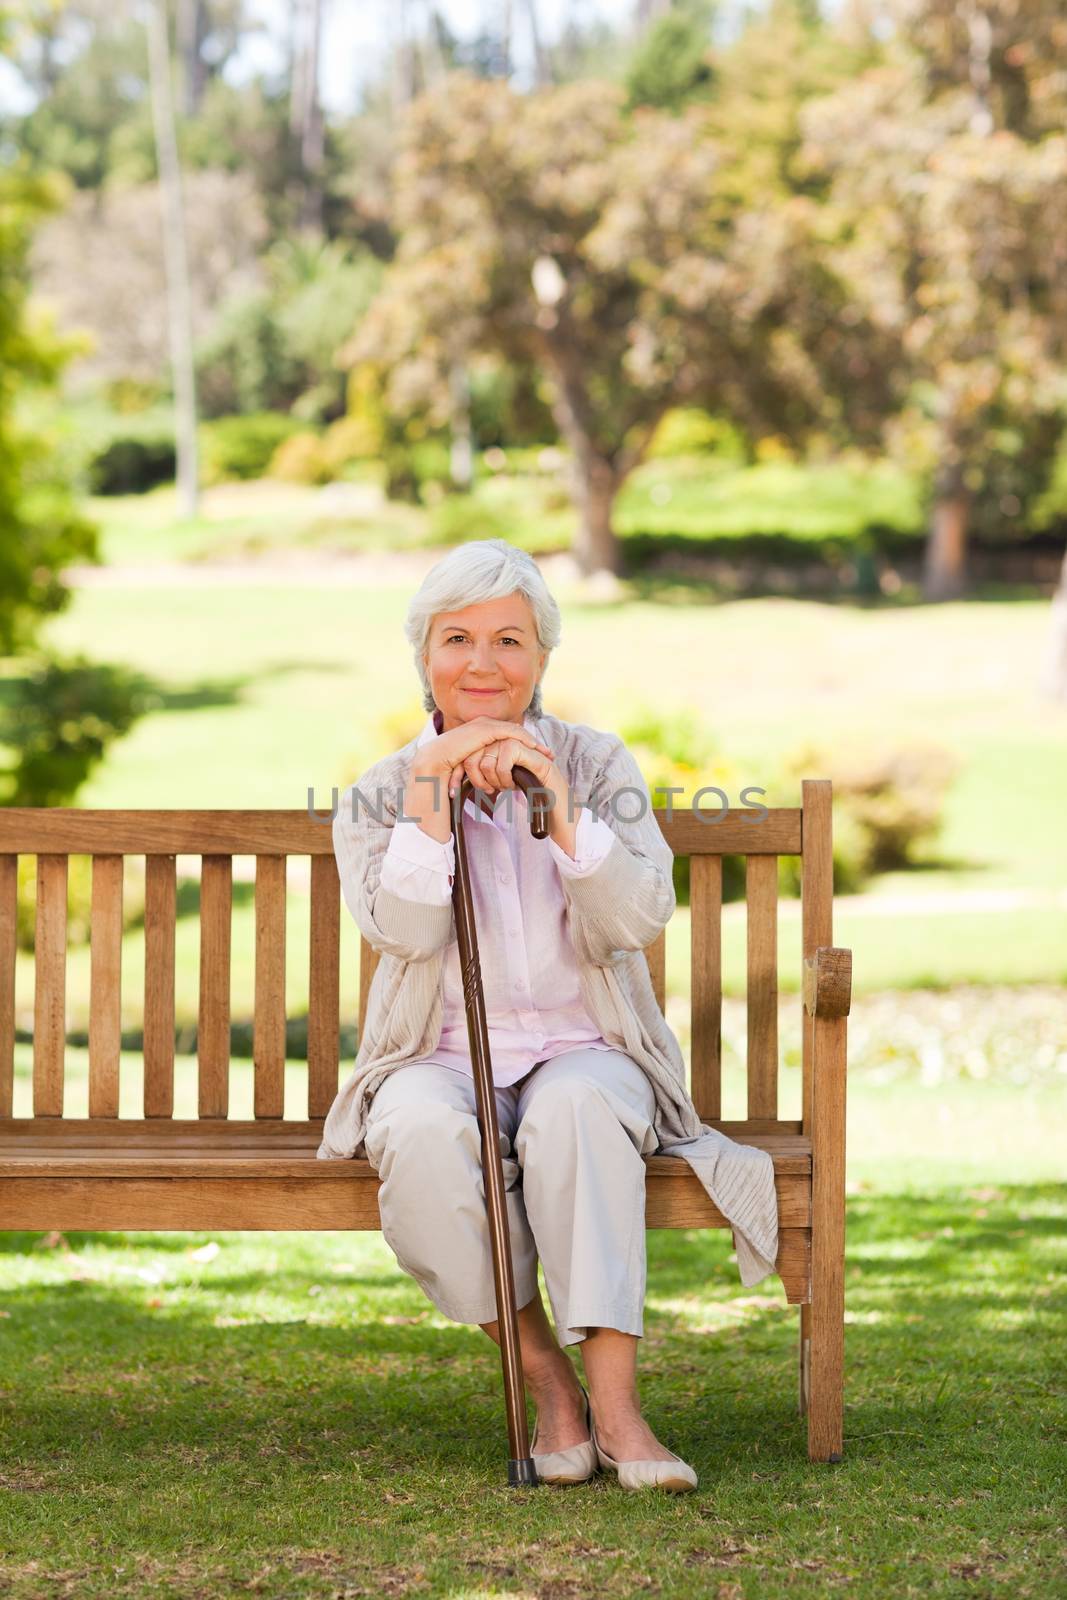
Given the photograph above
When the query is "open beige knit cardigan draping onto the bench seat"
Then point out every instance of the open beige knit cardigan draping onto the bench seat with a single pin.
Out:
(613, 914)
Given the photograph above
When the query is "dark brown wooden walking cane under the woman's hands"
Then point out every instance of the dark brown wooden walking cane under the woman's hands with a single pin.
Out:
(521, 1465)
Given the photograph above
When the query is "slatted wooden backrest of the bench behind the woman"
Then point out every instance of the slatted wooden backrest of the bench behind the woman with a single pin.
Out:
(55, 834)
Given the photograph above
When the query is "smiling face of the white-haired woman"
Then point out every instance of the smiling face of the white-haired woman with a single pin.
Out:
(492, 647)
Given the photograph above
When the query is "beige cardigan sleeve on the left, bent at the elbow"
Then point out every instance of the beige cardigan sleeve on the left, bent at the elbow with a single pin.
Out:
(407, 929)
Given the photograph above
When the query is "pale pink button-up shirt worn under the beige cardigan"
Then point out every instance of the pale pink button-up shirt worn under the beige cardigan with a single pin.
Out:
(533, 999)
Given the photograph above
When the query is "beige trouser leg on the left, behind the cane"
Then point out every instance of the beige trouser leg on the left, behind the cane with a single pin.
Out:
(423, 1142)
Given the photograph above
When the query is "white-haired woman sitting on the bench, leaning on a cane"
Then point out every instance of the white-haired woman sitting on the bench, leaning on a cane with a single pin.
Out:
(586, 1071)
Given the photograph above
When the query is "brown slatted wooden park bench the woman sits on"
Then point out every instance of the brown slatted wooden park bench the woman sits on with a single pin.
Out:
(220, 1174)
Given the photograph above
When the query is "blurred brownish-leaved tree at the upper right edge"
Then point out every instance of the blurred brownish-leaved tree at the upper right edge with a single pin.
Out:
(948, 215)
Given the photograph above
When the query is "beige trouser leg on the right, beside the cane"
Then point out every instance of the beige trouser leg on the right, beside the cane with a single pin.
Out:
(585, 1124)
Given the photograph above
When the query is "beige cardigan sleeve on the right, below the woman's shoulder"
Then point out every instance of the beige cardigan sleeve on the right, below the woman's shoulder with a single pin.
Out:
(626, 902)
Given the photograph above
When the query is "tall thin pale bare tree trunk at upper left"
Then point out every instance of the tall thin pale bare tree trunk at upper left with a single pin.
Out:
(177, 260)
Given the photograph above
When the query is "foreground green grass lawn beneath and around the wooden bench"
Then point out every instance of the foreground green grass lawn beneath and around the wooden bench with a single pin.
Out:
(287, 1415)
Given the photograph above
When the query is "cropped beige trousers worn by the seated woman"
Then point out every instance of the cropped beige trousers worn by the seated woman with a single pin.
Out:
(573, 1134)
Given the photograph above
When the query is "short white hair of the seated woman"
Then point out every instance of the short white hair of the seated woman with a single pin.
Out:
(474, 572)
